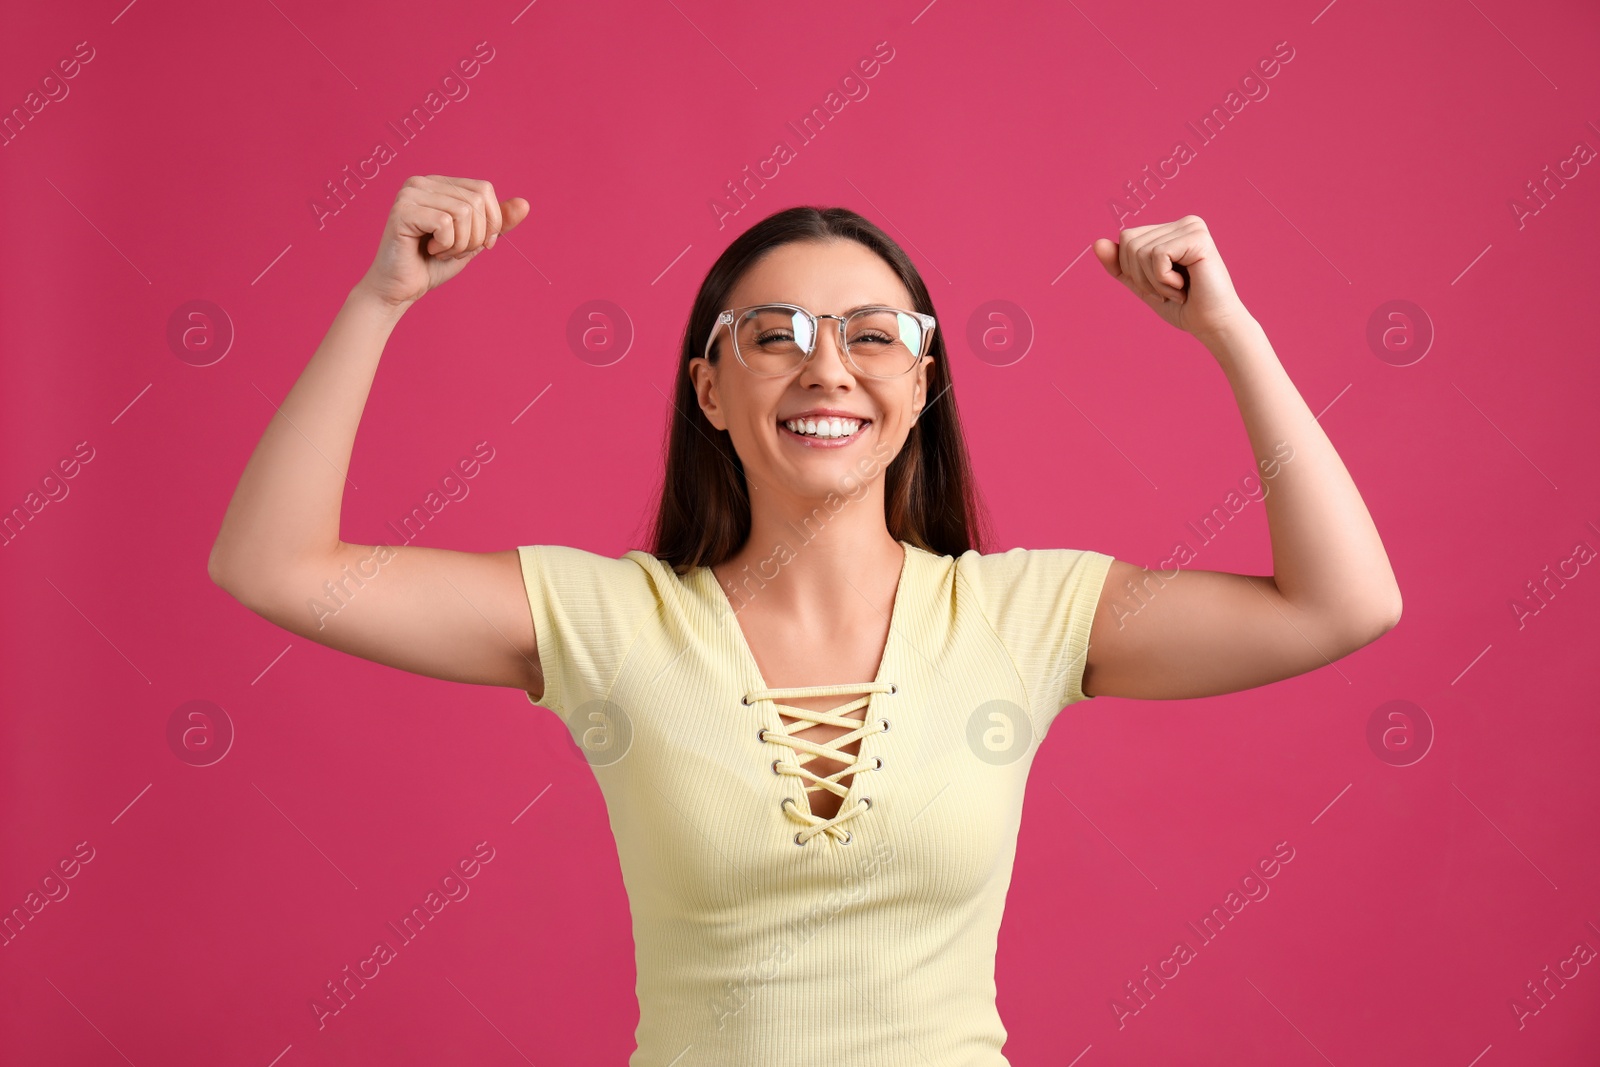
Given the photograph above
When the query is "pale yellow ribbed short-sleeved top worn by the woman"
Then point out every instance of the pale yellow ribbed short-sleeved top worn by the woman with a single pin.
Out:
(871, 943)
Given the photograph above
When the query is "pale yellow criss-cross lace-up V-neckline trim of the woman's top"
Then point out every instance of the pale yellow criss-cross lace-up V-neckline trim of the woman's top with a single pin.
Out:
(804, 749)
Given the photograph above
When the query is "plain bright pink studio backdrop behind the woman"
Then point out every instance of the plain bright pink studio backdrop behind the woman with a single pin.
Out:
(220, 900)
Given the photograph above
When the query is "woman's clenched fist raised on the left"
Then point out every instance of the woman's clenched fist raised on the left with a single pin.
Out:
(436, 228)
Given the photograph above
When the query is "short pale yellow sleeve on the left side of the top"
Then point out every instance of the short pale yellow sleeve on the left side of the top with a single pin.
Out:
(588, 610)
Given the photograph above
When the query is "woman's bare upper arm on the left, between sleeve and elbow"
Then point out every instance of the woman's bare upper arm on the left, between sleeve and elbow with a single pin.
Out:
(462, 617)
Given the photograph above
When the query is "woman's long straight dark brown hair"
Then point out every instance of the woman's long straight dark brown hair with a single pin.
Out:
(929, 494)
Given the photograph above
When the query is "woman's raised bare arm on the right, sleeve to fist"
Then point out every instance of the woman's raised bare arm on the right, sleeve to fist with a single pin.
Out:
(1167, 634)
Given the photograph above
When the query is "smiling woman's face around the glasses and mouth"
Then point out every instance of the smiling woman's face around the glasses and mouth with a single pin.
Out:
(826, 279)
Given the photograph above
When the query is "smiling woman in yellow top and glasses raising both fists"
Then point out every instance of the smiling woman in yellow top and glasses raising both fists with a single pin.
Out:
(814, 706)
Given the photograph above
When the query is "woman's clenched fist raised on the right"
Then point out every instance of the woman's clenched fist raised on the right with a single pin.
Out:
(1175, 270)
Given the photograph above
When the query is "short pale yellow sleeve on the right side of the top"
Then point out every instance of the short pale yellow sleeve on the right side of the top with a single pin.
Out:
(1041, 604)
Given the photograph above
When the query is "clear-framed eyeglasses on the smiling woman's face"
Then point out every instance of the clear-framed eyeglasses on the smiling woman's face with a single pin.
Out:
(774, 340)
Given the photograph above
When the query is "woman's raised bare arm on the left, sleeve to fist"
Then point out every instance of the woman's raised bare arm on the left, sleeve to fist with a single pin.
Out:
(449, 615)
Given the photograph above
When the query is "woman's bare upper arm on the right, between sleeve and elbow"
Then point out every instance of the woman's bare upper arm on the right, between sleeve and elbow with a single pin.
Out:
(1207, 633)
